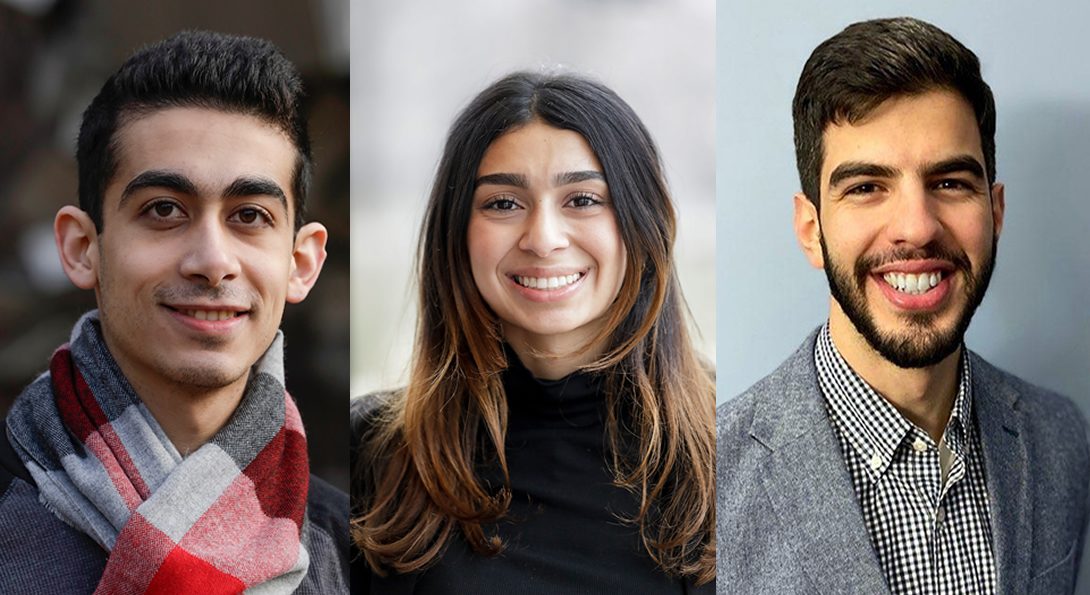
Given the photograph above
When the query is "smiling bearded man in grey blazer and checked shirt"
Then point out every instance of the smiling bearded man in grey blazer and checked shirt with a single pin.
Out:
(883, 456)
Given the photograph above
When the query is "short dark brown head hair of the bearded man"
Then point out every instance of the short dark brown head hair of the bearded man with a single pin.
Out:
(852, 74)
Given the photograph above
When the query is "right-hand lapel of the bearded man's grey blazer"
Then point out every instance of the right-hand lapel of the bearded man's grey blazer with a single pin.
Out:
(1008, 473)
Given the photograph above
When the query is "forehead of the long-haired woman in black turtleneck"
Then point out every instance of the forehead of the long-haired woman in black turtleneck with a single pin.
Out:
(539, 149)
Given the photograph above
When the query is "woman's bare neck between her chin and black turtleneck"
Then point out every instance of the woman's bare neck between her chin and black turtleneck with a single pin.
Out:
(552, 357)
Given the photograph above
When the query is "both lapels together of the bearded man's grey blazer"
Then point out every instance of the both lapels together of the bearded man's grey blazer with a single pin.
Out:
(809, 487)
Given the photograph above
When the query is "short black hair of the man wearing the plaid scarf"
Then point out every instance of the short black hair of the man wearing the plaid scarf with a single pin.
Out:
(193, 69)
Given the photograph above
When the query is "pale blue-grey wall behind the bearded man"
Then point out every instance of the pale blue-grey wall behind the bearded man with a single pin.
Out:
(1036, 319)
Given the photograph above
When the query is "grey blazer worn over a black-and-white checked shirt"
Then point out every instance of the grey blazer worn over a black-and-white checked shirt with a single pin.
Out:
(789, 520)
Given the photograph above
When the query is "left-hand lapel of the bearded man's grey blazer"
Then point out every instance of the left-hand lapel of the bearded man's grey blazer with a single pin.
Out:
(809, 487)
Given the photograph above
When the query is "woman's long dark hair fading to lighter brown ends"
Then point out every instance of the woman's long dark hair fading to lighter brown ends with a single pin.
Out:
(422, 464)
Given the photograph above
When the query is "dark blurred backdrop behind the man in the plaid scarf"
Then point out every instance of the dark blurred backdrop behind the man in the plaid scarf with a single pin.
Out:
(55, 56)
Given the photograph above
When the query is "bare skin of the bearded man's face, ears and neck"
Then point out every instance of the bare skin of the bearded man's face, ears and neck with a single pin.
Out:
(904, 211)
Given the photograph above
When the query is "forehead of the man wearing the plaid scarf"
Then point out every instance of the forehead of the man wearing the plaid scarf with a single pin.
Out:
(211, 148)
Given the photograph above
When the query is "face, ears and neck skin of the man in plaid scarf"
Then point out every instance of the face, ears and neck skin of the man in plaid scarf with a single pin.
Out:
(199, 217)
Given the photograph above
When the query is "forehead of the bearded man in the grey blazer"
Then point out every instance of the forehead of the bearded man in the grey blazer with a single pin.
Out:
(905, 132)
